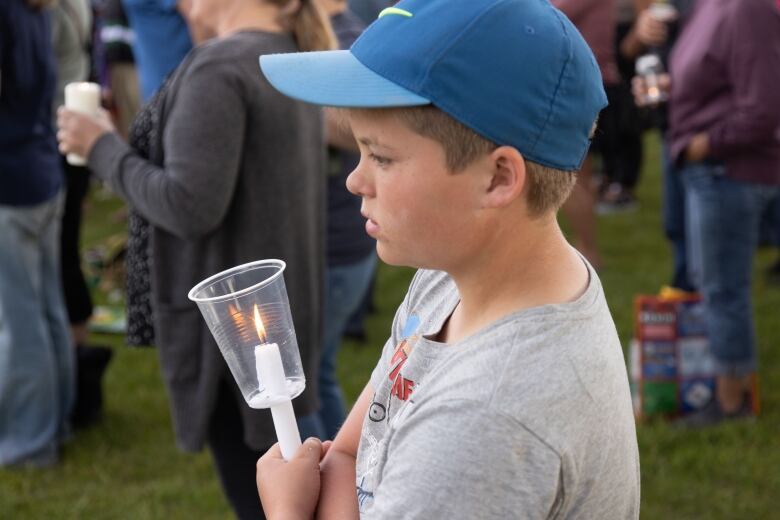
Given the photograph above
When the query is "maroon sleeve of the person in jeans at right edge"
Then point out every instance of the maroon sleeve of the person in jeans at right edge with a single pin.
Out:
(753, 63)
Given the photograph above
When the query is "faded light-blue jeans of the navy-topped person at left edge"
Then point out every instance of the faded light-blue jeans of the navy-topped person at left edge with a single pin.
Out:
(37, 383)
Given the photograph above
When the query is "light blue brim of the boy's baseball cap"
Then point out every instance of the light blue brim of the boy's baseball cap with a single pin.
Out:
(334, 78)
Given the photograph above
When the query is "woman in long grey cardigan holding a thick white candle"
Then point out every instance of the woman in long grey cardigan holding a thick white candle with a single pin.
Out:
(234, 173)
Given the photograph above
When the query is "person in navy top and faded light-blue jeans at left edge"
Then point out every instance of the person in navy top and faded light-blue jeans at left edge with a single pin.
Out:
(36, 358)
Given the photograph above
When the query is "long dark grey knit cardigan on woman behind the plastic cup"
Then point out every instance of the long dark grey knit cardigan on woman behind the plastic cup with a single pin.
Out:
(243, 179)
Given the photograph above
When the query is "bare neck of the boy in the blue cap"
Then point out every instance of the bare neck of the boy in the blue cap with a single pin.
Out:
(538, 267)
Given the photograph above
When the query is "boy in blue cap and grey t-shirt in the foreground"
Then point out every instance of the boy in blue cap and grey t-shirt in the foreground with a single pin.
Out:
(502, 392)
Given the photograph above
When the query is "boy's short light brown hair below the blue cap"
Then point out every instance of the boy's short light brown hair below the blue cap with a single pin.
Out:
(548, 188)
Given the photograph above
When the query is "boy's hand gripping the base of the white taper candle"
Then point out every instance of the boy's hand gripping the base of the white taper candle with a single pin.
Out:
(290, 489)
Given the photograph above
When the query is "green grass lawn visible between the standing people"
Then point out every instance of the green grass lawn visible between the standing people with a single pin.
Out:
(128, 467)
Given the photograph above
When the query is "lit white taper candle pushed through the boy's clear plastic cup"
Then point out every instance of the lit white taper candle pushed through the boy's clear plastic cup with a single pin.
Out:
(270, 373)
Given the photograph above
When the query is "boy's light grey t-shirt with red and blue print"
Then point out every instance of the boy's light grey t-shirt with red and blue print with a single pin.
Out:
(529, 418)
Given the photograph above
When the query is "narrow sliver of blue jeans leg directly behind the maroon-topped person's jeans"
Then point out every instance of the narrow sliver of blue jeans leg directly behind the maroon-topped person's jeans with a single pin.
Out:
(673, 204)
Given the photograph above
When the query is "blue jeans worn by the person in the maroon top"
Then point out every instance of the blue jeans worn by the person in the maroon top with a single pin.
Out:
(722, 221)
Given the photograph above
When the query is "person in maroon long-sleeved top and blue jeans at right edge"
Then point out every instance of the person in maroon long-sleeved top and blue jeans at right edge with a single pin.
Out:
(724, 118)
